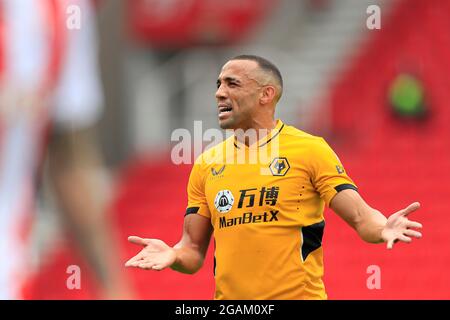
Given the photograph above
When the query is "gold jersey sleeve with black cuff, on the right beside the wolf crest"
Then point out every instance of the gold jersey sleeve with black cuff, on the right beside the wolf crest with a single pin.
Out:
(328, 174)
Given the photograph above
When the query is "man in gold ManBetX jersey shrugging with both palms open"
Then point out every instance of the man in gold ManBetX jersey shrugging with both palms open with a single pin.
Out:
(262, 193)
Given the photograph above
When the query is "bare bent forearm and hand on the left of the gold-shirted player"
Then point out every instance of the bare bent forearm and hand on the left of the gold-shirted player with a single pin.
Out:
(186, 256)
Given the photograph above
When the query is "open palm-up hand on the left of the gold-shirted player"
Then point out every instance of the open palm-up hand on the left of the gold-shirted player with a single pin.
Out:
(156, 255)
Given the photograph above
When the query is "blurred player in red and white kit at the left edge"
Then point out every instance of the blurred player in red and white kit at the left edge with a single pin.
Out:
(50, 101)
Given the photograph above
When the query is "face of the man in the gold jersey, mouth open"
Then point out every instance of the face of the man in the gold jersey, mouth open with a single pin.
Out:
(237, 94)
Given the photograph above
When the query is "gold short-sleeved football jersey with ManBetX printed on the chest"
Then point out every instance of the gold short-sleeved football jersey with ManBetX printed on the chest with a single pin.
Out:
(266, 204)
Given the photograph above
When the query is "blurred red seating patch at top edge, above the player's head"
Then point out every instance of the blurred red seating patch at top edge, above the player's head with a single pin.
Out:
(180, 23)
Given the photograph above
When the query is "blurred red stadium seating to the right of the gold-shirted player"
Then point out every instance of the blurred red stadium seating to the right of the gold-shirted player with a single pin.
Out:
(394, 162)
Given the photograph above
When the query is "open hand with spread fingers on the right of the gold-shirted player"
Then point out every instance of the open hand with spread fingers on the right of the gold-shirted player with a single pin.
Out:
(398, 227)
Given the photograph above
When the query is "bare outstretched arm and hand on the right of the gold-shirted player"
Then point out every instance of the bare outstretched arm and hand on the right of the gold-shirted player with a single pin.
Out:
(371, 225)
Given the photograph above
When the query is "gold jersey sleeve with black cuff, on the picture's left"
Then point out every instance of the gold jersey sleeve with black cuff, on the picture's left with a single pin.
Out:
(196, 192)
